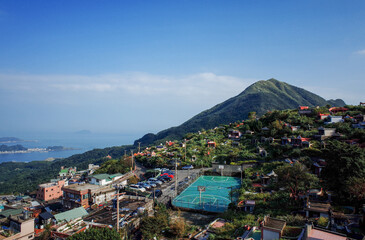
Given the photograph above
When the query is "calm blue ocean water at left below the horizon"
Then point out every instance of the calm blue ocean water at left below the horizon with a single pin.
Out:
(79, 143)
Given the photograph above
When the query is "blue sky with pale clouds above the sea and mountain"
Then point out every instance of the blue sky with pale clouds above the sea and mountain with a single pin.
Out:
(134, 66)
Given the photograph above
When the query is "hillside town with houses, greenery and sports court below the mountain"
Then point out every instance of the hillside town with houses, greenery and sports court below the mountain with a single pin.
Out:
(284, 175)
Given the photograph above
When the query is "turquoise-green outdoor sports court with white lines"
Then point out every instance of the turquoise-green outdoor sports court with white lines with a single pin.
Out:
(215, 198)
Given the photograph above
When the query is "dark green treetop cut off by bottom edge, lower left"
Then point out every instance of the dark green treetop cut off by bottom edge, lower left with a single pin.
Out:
(97, 234)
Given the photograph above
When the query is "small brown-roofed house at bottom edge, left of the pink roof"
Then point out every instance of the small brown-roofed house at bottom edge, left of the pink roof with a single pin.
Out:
(272, 228)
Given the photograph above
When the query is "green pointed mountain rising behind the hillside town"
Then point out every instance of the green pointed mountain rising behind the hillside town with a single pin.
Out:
(260, 97)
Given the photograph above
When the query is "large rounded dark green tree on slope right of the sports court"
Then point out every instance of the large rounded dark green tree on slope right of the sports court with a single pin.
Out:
(295, 178)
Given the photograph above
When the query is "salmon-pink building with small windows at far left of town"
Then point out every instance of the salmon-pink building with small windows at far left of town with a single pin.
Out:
(50, 191)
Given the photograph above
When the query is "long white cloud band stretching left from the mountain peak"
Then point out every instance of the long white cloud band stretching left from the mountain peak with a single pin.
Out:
(135, 84)
